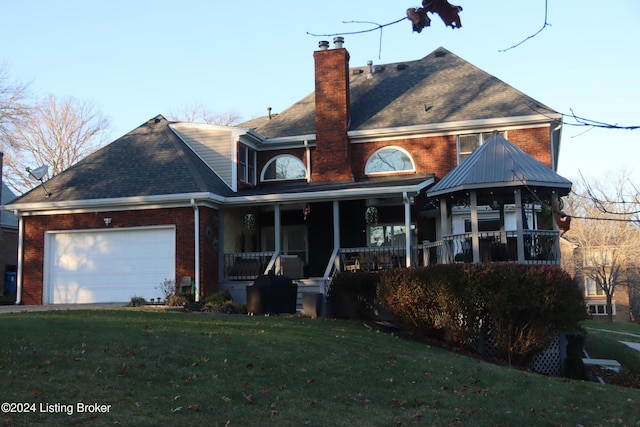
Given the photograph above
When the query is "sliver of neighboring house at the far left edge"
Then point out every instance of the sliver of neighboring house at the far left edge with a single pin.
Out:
(8, 239)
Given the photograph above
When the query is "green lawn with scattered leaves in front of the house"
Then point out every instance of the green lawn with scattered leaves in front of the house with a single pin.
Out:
(171, 368)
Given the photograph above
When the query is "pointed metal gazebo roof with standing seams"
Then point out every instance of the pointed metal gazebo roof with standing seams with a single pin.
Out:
(498, 163)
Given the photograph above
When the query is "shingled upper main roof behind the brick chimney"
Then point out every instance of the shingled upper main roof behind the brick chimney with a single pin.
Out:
(439, 88)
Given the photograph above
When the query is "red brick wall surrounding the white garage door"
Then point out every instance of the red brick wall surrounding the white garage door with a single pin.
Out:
(182, 218)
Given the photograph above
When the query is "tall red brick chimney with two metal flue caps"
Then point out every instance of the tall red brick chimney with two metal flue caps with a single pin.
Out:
(331, 159)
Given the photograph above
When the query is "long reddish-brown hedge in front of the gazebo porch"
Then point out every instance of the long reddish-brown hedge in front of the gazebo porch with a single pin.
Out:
(522, 306)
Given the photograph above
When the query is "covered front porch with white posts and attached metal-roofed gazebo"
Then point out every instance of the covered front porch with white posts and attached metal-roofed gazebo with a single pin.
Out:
(493, 207)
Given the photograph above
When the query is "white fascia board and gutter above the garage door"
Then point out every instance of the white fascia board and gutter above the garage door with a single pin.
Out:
(116, 204)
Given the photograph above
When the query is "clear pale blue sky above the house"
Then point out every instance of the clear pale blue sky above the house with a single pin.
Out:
(136, 59)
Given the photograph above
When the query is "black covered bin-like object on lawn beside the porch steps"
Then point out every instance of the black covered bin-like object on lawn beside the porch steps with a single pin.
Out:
(271, 294)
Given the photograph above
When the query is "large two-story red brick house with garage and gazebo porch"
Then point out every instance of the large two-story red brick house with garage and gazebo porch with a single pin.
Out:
(341, 180)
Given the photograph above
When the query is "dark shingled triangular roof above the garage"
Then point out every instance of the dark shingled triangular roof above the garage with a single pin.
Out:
(148, 161)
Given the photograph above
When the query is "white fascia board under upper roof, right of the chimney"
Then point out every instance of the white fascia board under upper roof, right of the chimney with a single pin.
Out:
(537, 120)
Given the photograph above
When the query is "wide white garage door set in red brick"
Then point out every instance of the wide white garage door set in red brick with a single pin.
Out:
(108, 265)
